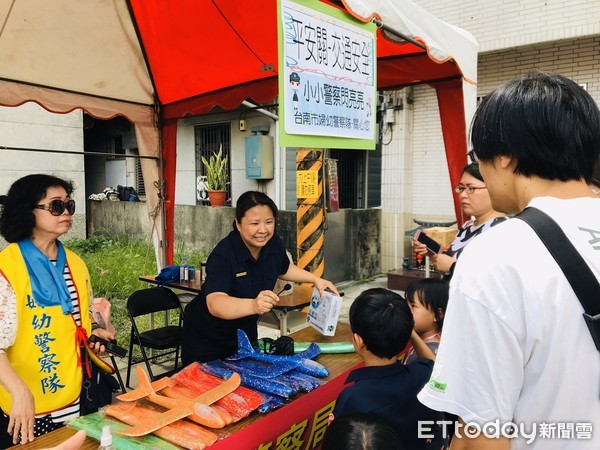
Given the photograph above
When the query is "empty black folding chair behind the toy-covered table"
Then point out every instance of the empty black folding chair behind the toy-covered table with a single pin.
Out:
(144, 303)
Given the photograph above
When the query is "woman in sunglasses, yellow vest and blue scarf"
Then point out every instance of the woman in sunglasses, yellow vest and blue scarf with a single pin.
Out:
(44, 310)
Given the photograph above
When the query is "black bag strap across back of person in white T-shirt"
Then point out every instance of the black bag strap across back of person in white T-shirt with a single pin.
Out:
(578, 273)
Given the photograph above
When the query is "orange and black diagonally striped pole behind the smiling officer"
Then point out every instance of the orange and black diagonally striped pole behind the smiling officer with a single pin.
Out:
(310, 213)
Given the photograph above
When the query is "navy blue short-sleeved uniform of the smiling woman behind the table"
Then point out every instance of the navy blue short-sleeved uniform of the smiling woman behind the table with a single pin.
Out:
(231, 269)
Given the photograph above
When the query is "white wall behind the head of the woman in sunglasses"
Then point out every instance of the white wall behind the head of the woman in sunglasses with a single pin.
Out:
(30, 126)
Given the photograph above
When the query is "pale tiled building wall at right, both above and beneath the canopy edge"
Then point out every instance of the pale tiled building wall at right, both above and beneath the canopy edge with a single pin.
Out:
(514, 38)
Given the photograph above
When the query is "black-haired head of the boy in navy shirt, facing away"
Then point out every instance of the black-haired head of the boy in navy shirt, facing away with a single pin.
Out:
(383, 320)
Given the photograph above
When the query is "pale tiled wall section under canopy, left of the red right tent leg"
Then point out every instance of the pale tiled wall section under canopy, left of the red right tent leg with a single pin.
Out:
(416, 183)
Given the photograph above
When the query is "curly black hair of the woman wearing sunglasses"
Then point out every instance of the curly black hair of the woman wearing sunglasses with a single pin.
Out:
(17, 220)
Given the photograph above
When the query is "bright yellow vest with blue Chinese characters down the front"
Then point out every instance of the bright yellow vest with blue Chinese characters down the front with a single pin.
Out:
(45, 354)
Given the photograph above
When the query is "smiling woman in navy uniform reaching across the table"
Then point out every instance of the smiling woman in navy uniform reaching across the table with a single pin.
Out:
(241, 272)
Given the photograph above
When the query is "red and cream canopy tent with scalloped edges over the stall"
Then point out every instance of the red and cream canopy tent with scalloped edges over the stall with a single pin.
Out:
(155, 62)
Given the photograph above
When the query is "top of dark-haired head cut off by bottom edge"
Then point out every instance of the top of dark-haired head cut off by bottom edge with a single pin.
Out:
(360, 431)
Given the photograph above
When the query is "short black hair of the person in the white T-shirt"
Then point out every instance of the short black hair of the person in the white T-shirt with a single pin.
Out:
(549, 123)
